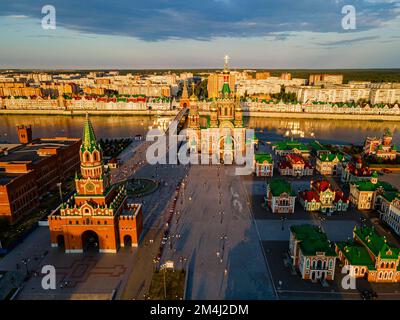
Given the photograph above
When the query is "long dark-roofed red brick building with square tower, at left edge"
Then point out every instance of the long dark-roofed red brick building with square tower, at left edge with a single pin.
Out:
(28, 171)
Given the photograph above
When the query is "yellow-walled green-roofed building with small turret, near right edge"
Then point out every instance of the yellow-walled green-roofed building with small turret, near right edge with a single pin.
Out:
(364, 194)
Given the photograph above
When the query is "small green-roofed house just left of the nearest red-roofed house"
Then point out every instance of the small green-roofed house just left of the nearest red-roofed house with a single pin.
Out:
(280, 196)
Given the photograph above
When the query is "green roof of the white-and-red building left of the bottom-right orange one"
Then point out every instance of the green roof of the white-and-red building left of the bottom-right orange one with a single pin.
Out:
(312, 239)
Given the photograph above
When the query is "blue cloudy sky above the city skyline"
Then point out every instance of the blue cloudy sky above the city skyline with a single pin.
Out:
(162, 34)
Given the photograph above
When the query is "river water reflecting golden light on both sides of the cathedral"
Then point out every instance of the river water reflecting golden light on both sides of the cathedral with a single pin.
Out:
(329, 131)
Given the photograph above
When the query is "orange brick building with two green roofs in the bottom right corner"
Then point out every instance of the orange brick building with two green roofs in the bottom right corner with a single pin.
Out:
(370, 256)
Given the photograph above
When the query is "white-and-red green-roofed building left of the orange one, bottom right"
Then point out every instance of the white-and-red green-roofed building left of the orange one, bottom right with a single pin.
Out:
(312, 252)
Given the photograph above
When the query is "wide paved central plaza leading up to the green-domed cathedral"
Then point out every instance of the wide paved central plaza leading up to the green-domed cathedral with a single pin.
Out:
(218, 237)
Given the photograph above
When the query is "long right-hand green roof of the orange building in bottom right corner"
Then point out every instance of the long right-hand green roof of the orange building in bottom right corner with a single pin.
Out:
(376, 243)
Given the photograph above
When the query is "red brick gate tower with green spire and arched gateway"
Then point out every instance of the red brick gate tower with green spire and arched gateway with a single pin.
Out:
(98, 215)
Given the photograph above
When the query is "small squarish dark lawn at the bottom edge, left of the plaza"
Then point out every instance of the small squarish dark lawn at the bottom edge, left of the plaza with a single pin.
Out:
(175, 285)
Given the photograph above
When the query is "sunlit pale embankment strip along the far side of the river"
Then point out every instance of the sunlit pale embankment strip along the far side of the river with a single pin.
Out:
(252, 114)
